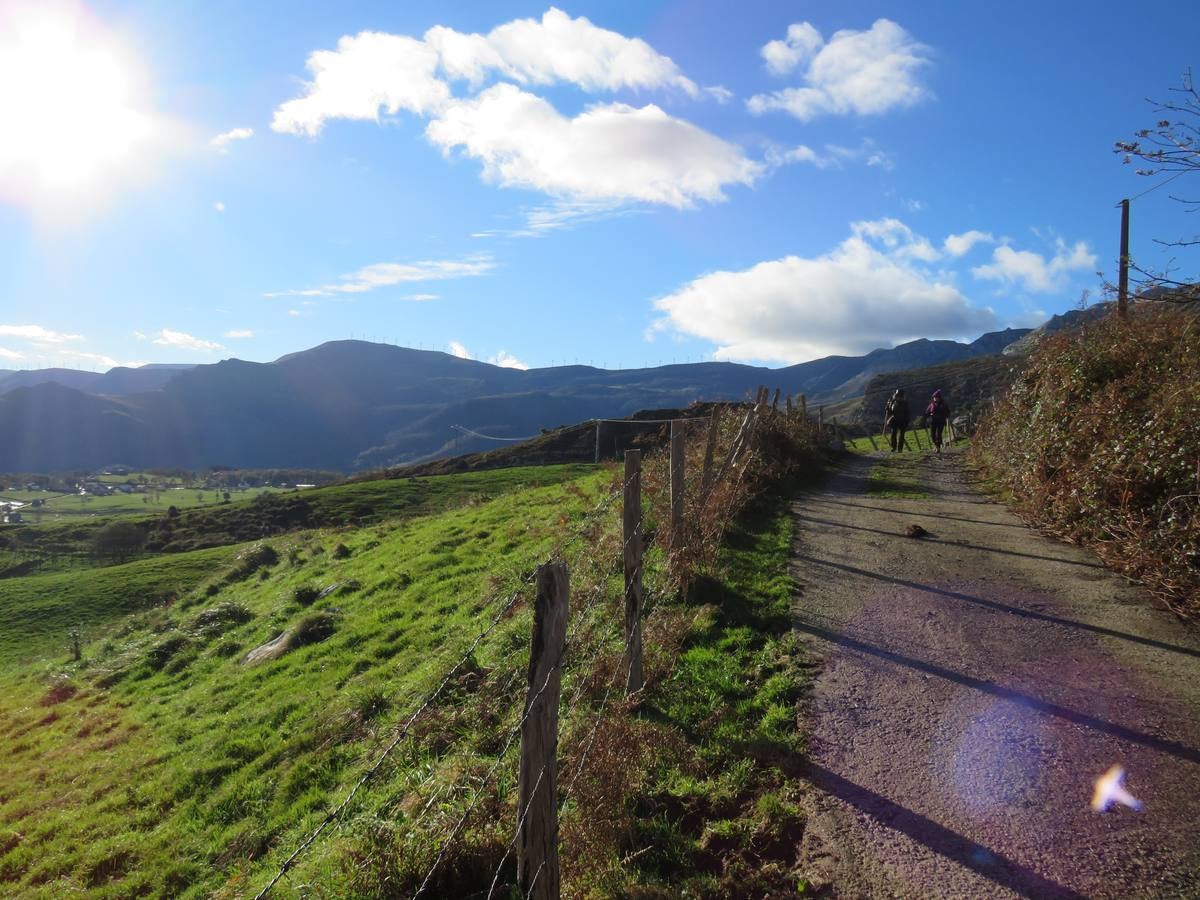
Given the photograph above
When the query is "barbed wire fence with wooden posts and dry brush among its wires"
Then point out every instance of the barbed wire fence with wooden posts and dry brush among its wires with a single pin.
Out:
(580, 645)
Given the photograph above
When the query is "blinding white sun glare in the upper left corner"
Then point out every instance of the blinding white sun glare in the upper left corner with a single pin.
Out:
(68, 101)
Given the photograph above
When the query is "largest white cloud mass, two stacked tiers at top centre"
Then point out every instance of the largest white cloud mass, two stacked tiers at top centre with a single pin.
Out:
(607, 153)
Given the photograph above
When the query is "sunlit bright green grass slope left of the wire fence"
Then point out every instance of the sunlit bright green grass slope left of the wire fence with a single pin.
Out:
(233, 763)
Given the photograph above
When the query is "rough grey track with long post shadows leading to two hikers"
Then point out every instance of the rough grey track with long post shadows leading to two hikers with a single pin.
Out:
(975, 685)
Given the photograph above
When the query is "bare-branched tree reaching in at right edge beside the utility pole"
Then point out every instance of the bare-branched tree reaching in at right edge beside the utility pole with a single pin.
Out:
(1171, 148)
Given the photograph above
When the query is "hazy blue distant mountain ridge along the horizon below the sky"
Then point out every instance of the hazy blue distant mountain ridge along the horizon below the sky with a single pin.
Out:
(352, 405)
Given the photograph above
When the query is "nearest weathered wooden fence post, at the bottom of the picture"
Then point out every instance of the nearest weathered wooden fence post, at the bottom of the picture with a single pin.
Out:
(538, 874)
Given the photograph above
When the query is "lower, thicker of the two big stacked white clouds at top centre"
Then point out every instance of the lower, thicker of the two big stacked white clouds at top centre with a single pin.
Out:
(609, 152)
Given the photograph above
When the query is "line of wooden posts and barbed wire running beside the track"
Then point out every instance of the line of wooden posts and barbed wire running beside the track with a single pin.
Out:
(691, 489)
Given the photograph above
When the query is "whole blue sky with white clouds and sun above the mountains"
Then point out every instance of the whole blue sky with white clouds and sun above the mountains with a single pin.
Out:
(597, 183)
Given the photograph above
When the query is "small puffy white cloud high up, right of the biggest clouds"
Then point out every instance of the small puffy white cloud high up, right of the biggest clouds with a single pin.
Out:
(862, 73)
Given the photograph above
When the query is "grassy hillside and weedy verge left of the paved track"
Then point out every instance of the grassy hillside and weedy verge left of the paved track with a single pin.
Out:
(178, 724)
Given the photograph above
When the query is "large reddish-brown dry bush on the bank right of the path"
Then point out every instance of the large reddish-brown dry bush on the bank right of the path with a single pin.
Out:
(1100, 443)
